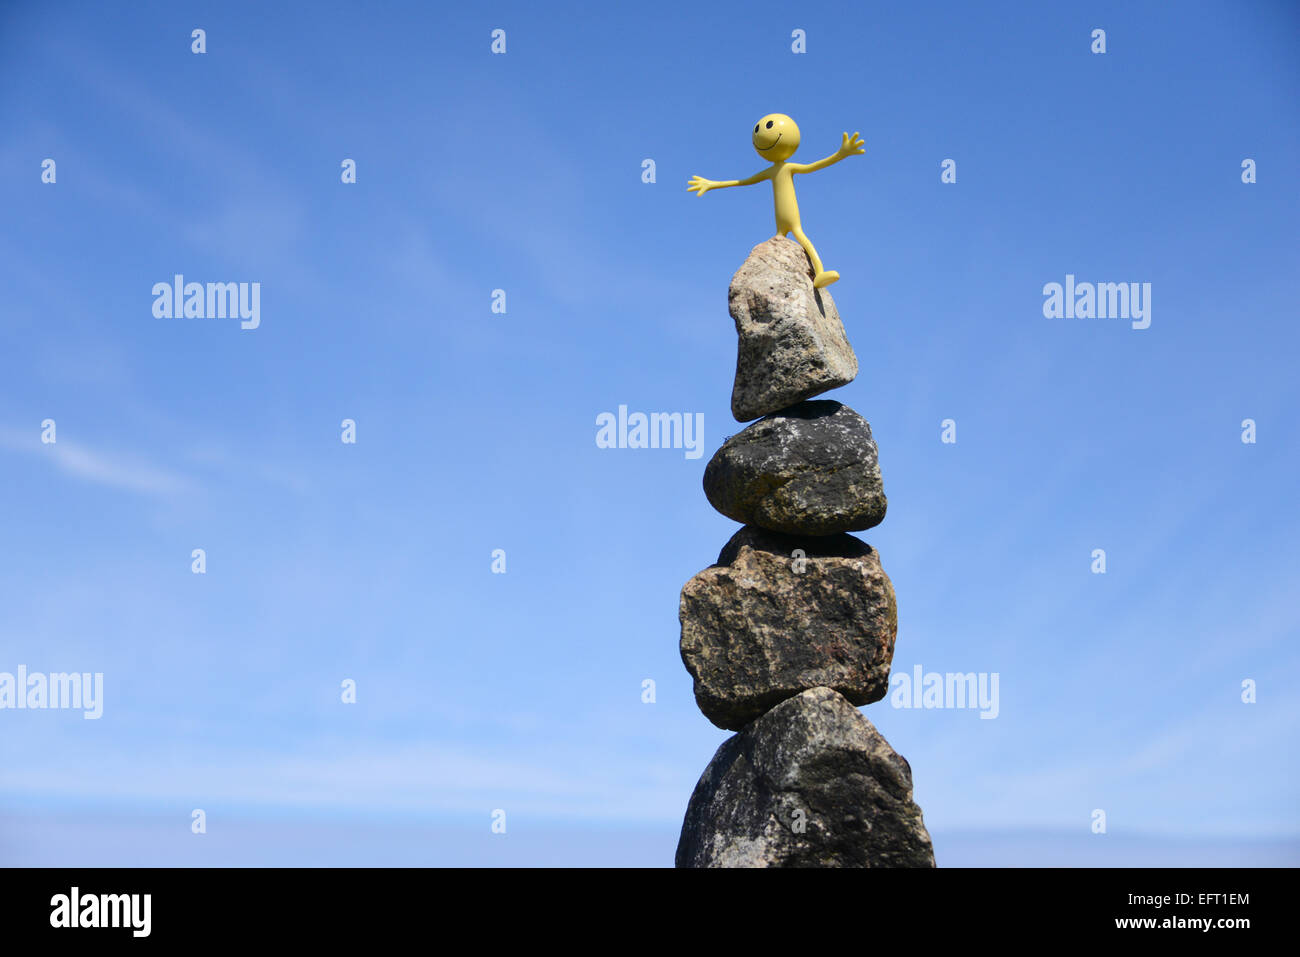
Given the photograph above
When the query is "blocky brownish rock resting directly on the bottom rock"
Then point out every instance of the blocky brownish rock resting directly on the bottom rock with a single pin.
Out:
(766, 623)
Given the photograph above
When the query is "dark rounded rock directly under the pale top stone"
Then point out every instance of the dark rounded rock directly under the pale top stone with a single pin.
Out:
(809, 470)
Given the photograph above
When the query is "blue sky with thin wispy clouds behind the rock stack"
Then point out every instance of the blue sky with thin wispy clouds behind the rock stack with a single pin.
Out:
(476, 431)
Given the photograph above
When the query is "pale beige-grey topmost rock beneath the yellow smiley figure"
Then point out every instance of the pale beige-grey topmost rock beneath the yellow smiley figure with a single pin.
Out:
(792, 343)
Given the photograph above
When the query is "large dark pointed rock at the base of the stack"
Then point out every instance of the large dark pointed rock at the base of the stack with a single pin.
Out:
(809, 785)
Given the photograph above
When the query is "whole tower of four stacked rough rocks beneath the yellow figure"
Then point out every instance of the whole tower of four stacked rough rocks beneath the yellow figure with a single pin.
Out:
(795, 626)
